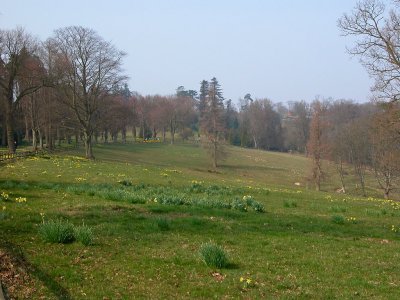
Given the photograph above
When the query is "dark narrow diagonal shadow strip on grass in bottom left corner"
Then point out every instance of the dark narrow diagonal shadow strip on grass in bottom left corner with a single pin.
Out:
(59, 291)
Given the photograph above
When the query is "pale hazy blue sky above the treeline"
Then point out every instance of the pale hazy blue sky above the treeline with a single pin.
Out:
(284, 50)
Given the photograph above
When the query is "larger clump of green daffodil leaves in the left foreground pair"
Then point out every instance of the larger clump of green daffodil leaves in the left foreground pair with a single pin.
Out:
(57, 232)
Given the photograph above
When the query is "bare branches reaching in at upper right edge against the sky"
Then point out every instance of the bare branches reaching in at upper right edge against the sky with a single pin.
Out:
(377, 32)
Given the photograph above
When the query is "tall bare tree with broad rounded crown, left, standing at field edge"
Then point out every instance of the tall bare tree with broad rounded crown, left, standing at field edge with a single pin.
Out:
(88, 68)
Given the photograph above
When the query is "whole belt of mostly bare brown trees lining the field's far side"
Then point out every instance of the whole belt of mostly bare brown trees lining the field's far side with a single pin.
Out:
(71, 88)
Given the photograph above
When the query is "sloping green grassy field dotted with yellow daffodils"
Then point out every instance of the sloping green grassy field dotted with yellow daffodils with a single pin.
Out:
(151, 207)
